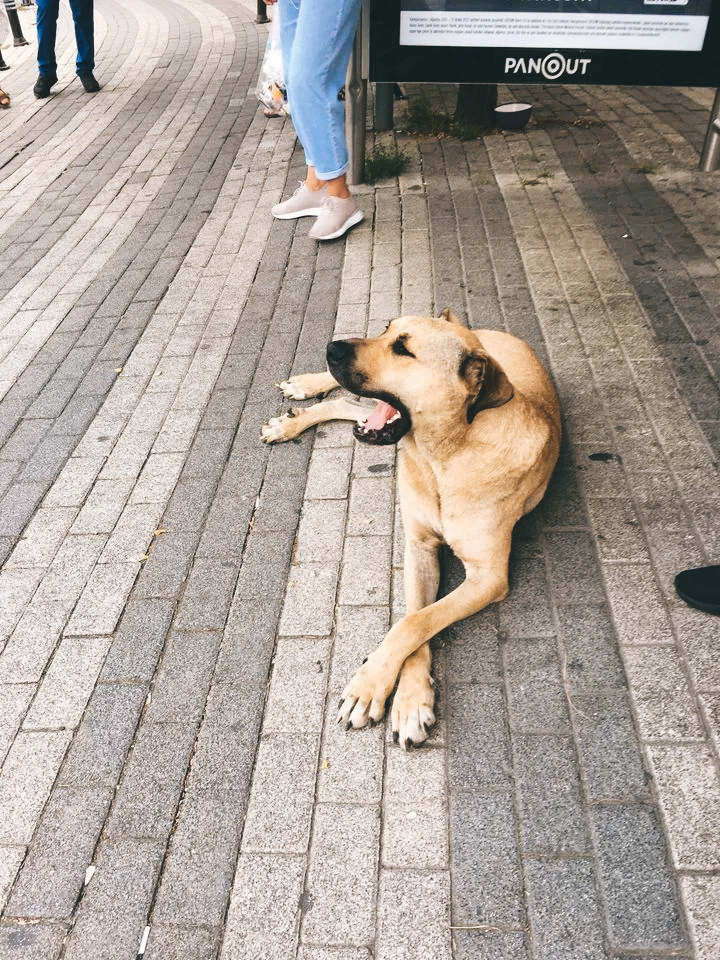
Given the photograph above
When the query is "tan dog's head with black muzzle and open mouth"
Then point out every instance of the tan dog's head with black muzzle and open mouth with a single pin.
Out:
(422, 370)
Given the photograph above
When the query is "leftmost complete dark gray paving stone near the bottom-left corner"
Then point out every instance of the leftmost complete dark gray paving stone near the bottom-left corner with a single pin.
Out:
(62, 849)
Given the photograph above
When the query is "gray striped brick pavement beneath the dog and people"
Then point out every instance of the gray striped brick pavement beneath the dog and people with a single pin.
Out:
(180, 605)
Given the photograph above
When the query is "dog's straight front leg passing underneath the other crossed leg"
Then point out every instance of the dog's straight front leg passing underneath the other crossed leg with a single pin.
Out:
(412, 709)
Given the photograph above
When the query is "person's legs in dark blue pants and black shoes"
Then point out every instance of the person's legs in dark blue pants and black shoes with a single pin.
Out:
(47, 16)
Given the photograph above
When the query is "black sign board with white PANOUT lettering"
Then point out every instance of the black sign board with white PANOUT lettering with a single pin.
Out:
(645, 42)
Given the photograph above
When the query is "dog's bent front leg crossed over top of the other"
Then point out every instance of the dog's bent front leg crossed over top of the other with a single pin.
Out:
(365, 696)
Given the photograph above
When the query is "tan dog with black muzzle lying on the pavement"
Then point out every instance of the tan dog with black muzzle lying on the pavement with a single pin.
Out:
(478, 423)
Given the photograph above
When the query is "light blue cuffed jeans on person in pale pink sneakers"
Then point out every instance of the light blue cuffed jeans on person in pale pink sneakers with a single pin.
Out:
(317, 38)
